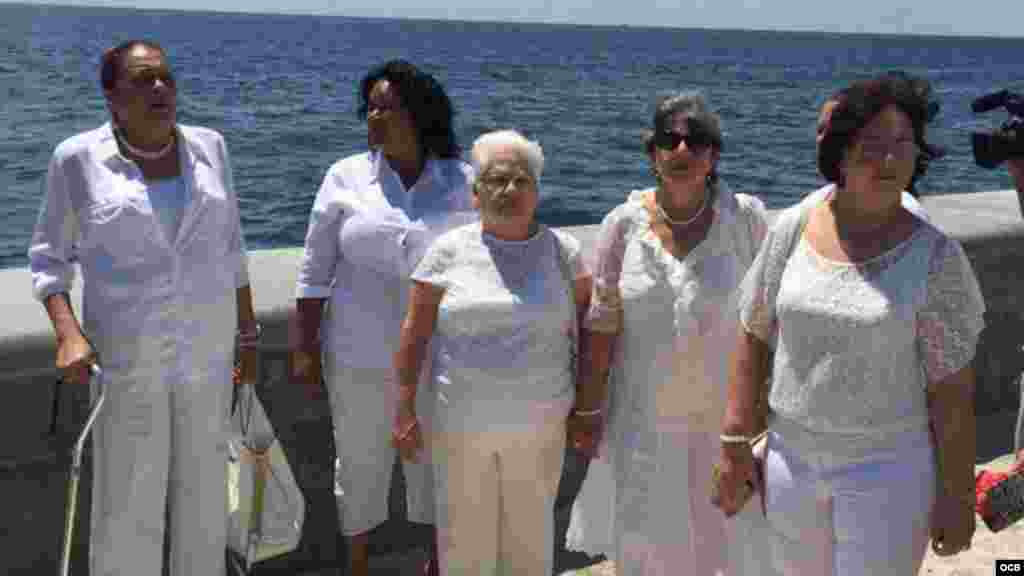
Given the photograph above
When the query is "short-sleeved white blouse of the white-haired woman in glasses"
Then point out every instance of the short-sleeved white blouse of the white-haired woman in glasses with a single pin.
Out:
(502, 349)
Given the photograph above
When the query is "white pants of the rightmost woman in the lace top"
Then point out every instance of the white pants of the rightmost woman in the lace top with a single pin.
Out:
(855, 520)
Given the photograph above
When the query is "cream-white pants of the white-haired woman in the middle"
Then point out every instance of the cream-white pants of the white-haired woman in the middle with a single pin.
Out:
(496, 496)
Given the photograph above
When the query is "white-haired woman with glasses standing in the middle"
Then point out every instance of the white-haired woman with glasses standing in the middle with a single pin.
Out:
(497, 299)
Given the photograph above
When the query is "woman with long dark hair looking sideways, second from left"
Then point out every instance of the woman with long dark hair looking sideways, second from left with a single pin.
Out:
(371, 223)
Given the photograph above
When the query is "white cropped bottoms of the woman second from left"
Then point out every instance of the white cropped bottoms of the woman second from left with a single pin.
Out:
(363, 403)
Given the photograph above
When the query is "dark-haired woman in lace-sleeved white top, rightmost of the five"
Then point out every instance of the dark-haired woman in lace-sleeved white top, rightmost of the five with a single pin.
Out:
(874, 316)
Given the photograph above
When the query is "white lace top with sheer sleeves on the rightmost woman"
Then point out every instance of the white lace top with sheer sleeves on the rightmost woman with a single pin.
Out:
(858, 343)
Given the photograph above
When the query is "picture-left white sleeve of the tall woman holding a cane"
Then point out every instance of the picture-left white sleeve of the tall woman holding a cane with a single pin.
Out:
(56, 235)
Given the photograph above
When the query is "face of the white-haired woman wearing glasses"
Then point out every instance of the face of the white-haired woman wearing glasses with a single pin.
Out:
(505, 192)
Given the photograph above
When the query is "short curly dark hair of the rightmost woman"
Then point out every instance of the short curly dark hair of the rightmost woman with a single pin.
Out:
(861, 103)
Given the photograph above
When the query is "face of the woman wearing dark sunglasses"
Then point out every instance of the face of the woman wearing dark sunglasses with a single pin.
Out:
(680, 157)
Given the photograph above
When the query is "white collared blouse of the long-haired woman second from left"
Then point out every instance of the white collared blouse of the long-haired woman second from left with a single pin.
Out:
(367, 233)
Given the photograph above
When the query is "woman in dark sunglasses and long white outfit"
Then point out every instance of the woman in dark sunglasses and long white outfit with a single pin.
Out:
(669, 263)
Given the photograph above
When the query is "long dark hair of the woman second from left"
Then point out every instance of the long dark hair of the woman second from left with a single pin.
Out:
(426, 101)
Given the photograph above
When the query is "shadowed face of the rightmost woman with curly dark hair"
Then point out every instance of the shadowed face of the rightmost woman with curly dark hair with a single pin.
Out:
(883, 155)
